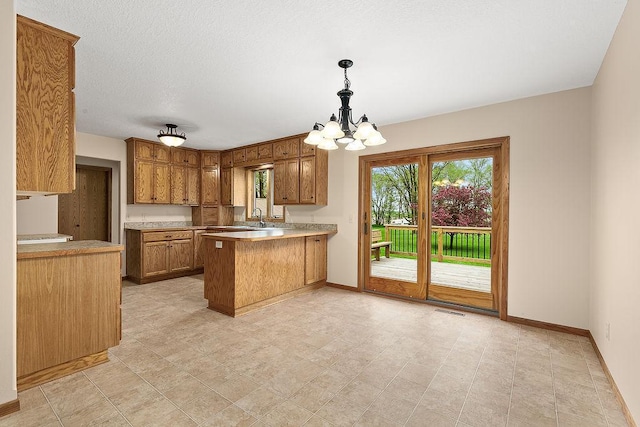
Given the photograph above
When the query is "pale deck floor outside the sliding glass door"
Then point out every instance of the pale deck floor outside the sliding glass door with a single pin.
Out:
(454, 275)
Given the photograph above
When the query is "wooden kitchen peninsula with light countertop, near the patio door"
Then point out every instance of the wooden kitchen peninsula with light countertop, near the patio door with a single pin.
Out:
(251, 269)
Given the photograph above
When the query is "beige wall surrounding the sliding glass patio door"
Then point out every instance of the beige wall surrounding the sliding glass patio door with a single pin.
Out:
(549, 197)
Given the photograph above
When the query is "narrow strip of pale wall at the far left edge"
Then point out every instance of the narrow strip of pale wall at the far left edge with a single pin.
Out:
(8, 202)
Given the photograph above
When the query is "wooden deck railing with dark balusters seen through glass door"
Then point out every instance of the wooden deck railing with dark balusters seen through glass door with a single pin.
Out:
(469, 244)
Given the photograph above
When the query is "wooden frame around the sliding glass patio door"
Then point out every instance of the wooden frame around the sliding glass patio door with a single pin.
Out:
(501, 209)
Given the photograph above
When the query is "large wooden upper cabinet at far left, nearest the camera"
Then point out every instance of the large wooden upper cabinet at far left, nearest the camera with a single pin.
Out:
(45, 108)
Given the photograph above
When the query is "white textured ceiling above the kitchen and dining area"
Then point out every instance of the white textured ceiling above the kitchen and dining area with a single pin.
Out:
(234, 72)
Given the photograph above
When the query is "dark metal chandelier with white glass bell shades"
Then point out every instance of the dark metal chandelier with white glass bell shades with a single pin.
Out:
(338, 130)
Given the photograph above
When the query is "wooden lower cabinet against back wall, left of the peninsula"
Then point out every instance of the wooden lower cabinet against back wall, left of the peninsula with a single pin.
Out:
(157, 255)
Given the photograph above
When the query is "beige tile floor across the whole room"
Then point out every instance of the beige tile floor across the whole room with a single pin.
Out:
(329, 358)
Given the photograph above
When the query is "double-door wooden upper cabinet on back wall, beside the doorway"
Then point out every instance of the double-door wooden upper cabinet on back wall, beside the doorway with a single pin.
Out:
(149, 173)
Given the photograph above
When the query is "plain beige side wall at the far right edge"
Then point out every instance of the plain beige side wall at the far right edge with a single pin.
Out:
(615, 203)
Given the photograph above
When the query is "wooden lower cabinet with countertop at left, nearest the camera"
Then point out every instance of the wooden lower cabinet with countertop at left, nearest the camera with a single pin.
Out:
(68, 308)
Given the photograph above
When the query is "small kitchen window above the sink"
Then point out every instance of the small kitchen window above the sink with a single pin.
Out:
(260, 196)
